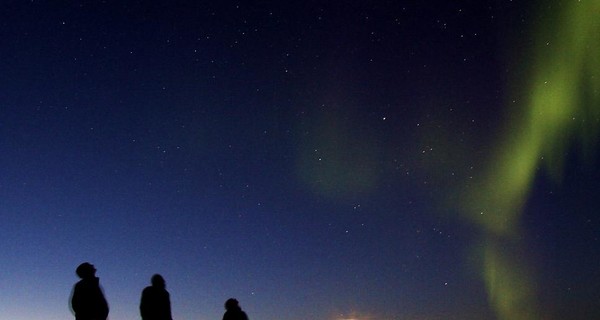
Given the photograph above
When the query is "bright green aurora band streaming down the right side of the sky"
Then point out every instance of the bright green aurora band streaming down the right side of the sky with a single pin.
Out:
(562, 109)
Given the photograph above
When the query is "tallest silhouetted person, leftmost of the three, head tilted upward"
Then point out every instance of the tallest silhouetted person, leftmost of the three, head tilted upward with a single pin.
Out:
(88, 302)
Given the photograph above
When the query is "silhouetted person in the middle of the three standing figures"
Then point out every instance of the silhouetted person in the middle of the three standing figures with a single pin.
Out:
(156, 303)
